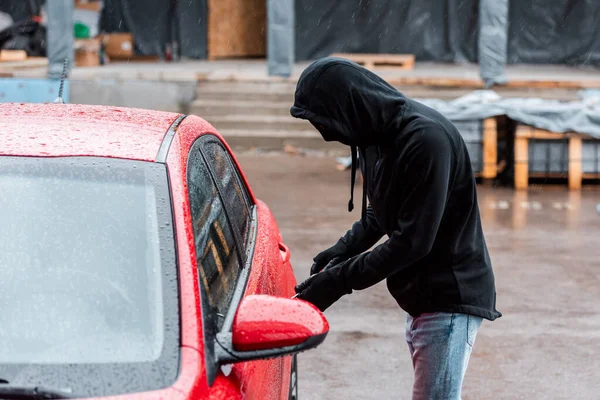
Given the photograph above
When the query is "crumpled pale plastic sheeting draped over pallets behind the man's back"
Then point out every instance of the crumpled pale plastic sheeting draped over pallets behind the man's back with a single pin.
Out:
(556, 116)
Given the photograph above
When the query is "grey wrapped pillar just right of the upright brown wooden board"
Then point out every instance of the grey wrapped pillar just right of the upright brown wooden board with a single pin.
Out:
(280, 37)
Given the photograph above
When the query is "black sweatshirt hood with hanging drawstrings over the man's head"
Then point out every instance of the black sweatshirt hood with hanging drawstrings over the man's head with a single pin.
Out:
(349, 104)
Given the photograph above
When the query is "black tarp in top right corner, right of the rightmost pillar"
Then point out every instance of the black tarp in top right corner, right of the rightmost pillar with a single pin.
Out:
(554, 32)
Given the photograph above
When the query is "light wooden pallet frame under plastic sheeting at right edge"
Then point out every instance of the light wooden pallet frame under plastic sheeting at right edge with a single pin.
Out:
(575, 174)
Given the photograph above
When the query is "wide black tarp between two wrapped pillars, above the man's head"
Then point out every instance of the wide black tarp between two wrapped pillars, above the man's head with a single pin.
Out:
(442, 30)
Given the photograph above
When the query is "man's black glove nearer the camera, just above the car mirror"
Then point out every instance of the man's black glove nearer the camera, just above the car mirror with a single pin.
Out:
(324, 288)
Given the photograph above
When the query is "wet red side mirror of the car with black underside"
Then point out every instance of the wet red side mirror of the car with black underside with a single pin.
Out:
(267, 327)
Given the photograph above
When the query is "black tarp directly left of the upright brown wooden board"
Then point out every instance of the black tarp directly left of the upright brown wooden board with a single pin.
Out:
(153, 24)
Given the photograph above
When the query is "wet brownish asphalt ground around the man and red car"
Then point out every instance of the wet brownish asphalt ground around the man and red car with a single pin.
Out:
(545, 249)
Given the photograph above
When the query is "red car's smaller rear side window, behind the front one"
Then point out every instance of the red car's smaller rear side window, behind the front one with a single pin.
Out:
(233, 190)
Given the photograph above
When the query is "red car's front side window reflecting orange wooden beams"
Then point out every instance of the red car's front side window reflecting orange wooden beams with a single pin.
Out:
(217, 253)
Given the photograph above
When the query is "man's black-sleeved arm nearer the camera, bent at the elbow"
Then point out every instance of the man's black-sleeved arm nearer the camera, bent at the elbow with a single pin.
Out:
(427, 169)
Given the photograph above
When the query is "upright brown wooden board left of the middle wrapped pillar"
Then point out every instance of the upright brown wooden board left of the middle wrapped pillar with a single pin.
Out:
(236, 28)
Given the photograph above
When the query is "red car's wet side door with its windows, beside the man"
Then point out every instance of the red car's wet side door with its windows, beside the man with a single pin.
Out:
(230, 236)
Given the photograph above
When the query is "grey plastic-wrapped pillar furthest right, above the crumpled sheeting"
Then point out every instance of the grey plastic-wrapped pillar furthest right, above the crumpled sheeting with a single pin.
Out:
(493, 31)
